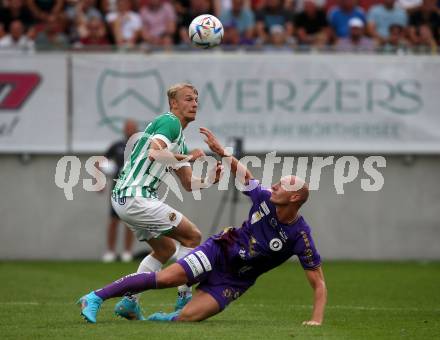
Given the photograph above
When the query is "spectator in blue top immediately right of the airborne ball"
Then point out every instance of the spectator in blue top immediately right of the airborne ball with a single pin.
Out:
(242, 19)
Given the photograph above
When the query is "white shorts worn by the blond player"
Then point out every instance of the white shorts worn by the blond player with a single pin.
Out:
(147, 217)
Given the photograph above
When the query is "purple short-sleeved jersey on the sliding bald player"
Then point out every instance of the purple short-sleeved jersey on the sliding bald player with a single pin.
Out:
(263, 242)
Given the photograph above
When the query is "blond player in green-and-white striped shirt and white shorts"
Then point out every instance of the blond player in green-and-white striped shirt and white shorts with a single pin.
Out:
(135, 197)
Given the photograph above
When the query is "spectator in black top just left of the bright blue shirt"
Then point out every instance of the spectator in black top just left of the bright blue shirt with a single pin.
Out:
(311, 25)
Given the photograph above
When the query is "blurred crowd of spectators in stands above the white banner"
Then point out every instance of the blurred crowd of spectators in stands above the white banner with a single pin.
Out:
(390, 26)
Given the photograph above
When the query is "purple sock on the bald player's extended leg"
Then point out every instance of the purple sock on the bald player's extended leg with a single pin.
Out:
(128, 285)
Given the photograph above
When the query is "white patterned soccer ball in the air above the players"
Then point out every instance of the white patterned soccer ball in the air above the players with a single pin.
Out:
(206, 31)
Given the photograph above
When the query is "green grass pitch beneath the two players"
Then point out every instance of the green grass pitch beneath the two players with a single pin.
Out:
(366, 300)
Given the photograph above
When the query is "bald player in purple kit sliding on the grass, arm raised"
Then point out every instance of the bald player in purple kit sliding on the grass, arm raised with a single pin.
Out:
(228, 264)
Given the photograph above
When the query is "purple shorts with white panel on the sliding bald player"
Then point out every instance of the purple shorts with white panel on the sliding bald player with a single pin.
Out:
(207, 265)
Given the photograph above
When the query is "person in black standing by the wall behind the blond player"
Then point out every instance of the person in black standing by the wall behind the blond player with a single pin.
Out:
(115, 155)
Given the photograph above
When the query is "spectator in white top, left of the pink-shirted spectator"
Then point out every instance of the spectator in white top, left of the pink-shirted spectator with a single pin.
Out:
(125, 24)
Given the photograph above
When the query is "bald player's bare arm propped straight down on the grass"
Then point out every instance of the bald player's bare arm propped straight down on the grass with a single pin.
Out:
(316, 280)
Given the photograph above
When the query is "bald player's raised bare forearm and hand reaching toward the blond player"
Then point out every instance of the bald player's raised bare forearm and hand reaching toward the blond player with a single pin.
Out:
(238, 169)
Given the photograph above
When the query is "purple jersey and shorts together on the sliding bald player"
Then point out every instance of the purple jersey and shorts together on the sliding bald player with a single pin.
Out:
(228, 263)
